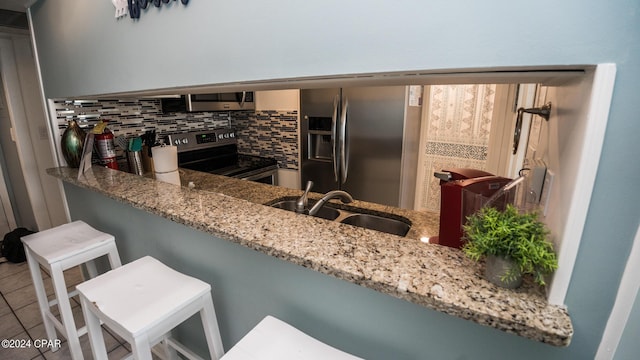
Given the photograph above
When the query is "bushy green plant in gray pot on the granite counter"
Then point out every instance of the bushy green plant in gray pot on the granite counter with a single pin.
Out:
(514, 244)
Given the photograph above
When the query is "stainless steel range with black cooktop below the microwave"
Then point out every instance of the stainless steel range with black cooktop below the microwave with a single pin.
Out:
(216, 152)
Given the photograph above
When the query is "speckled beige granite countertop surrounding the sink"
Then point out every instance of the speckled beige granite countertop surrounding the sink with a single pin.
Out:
(433, 276)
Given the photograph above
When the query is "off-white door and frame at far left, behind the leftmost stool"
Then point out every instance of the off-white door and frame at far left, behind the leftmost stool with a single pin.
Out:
(36, 197)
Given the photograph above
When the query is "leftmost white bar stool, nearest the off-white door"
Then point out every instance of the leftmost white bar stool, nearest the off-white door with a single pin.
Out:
(56, 250)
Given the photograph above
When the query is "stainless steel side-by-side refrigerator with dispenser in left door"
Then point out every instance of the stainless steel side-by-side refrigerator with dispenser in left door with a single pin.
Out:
(352, 139)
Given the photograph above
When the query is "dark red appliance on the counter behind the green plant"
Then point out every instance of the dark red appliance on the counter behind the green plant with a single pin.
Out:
(463, 192)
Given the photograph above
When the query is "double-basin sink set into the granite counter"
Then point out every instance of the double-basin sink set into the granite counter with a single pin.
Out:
(387, 223)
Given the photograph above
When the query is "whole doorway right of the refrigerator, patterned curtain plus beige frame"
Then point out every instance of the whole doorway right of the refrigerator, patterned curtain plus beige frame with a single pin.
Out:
(467, 126)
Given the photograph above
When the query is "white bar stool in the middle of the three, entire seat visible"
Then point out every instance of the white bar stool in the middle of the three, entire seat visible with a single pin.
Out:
(142, 302)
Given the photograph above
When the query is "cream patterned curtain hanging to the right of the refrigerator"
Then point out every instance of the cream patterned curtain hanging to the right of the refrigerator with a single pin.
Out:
(458, 122)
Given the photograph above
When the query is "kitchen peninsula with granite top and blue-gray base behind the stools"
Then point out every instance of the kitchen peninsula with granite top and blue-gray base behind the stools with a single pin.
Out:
(270, 271)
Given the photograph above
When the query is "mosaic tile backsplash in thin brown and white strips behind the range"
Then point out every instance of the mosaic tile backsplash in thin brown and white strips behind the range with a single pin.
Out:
(263, 133)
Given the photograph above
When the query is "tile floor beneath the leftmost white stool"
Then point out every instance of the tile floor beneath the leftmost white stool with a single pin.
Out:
(20, 317)
